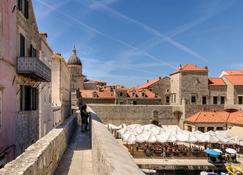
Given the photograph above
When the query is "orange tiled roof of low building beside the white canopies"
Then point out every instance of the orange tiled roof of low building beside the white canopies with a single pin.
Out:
(217, 117)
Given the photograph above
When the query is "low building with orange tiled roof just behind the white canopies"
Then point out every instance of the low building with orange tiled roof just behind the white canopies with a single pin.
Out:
(214, 121)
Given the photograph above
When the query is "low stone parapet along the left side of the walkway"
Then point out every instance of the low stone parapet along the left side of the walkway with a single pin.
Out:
(43, 156)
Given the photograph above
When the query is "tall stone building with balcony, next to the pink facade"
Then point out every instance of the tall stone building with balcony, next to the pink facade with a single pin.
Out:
(31, 72)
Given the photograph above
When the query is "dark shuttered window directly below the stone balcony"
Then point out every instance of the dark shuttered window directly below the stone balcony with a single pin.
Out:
(28, 98)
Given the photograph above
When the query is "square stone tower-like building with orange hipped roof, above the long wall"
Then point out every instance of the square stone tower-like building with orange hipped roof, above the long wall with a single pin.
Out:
(189, 83)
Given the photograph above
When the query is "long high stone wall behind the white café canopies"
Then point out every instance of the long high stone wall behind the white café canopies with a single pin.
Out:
(140, 114)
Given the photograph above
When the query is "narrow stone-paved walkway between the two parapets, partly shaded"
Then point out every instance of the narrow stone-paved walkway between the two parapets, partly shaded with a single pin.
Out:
(77, 159)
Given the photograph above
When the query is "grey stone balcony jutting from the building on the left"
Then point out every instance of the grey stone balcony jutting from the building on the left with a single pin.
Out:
(33, 68)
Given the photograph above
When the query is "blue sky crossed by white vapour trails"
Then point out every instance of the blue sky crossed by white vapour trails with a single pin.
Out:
(129, 41)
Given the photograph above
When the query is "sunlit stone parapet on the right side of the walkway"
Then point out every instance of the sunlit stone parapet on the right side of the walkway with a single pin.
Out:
(108, 156)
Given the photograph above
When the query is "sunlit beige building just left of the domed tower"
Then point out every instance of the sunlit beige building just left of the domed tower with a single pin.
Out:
(61, 94)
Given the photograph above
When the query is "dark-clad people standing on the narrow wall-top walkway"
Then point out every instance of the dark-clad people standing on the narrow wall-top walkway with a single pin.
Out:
(84, 117)
